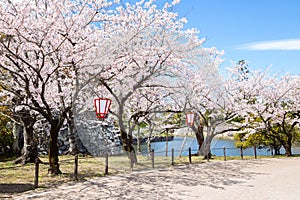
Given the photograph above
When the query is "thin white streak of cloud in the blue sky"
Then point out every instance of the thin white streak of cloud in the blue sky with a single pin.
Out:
(289, 44)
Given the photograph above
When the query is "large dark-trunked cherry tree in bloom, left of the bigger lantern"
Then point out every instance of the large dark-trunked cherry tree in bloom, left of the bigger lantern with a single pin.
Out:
(43, 44)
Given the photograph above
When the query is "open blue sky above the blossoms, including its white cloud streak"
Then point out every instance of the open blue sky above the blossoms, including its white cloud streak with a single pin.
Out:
(266, 33)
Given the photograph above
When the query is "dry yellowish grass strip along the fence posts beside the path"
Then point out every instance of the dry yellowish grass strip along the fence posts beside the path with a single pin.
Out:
(17, 178)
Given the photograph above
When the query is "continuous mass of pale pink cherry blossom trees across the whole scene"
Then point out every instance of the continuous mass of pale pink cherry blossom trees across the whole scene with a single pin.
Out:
(56, 56)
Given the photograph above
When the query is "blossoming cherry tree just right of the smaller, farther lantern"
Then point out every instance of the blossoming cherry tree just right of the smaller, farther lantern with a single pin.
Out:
(205, 92)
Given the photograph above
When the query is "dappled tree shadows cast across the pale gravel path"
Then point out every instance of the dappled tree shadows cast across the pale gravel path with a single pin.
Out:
(163, 183)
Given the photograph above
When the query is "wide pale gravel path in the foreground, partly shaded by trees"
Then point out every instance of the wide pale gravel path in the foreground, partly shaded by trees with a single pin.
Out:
(238, 179)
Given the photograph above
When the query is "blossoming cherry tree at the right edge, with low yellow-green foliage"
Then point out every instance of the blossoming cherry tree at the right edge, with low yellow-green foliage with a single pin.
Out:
(267, 104)
